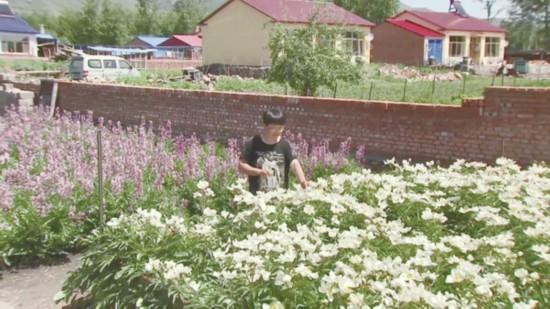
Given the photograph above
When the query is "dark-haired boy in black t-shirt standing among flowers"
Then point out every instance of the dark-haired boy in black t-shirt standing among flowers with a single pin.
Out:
(267, 158)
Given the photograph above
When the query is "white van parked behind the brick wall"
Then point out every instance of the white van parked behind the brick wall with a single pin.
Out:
(100, 68)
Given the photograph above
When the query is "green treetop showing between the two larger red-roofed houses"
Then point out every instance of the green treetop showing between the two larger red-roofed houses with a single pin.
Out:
(376, 11)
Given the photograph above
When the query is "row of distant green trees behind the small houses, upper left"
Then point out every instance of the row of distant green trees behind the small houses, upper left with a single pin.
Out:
(109, 23)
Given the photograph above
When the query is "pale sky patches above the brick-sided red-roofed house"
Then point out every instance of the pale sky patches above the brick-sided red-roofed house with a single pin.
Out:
(473, 7)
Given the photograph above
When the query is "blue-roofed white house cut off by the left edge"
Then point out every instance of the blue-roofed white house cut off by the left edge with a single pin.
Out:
(17, 37)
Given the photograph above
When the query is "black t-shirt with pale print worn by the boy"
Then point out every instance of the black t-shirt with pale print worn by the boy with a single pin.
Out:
(275, 157)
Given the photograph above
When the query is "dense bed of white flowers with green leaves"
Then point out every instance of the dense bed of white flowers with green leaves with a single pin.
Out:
(467, 236)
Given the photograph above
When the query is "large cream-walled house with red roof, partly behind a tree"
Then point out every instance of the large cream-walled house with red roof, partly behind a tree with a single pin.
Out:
(238, 32)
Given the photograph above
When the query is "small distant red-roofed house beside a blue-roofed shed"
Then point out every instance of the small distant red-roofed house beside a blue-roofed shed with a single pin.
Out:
(183, 46)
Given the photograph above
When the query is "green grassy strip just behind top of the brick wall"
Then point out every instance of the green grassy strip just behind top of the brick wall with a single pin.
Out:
(373, 87)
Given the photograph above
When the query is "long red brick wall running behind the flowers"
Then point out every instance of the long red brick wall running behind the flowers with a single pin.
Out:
(510, 122)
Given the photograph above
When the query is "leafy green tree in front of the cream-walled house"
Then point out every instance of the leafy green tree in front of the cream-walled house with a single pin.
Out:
(307, 58)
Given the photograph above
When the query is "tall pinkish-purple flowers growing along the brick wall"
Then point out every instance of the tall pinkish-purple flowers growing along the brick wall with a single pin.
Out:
(48, 176)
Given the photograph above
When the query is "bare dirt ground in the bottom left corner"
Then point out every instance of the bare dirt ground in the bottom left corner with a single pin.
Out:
(34, 288)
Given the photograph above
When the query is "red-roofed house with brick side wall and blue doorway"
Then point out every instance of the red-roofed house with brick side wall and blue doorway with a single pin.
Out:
(420, 37)
